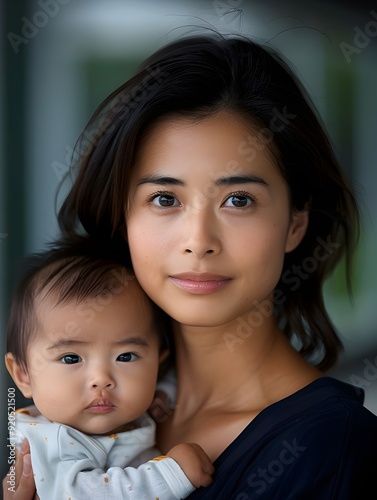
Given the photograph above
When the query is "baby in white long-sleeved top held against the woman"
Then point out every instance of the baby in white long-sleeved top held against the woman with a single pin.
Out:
(86, 343)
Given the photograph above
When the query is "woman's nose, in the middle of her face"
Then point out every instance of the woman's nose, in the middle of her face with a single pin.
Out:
(200, 235)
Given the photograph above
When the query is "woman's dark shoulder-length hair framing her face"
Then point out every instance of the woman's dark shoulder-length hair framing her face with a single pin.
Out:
(197, 77)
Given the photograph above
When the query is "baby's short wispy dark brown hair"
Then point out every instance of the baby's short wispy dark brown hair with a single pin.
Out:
(75, 271)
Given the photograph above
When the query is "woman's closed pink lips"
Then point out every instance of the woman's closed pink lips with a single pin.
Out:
(200, 284)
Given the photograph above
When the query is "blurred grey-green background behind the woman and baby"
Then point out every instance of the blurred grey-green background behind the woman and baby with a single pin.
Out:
(59, 58)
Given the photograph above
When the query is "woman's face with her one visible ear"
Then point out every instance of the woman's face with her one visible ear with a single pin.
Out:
(209, 219)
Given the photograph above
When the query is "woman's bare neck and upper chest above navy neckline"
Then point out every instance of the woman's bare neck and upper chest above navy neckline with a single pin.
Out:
(226, 376)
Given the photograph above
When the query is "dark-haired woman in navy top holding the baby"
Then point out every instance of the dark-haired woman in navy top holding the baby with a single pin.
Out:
(214, 169)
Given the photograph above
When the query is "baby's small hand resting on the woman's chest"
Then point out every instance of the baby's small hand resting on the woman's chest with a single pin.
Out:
(194, 462)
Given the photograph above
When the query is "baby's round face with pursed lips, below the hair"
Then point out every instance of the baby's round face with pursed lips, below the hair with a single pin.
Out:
(93, 365)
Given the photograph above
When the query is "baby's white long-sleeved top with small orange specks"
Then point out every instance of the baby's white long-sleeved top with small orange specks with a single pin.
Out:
(69, 465)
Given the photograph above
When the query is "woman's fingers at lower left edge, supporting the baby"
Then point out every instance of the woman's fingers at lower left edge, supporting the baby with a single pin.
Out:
(19, 484)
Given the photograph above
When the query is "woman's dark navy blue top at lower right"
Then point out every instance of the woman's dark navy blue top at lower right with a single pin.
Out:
(320, 443)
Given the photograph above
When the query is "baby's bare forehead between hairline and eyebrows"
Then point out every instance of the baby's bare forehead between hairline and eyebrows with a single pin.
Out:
(124, 312)
